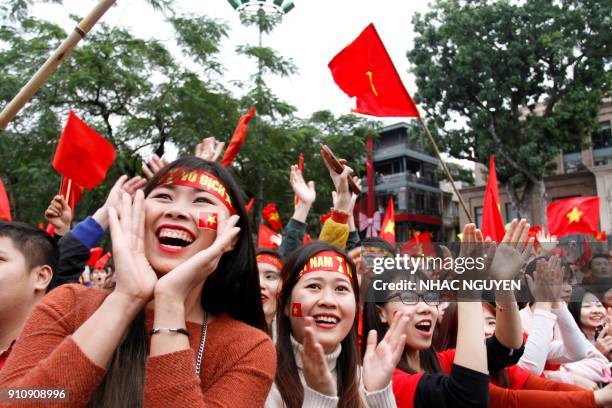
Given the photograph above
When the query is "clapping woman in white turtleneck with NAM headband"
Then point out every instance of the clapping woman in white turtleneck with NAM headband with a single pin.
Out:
(317, 337)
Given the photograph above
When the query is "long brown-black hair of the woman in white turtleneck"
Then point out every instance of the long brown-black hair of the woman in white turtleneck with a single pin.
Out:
(287, 378)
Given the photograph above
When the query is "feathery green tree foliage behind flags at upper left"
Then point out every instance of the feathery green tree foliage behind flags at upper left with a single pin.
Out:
(144, 98)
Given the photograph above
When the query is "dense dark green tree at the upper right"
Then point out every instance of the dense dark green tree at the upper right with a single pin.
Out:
(526, 78)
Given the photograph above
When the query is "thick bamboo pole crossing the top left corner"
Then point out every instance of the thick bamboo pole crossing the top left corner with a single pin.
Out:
(58, 56)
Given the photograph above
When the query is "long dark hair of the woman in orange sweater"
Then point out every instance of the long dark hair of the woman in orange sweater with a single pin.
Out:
(233, 289)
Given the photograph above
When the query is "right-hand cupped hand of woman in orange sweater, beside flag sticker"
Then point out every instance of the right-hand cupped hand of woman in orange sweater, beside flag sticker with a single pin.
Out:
(178, 283)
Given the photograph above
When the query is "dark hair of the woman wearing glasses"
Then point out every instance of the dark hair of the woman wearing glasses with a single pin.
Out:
(371, 319)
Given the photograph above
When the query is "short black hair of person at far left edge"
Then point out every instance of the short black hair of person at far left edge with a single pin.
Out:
(37, 247)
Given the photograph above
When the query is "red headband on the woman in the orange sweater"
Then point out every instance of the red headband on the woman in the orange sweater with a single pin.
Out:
(200, 180)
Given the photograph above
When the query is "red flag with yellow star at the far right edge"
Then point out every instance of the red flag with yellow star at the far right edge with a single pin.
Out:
(577, 215)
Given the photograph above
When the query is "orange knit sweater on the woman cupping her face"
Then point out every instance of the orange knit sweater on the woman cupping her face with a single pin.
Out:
(238, 365)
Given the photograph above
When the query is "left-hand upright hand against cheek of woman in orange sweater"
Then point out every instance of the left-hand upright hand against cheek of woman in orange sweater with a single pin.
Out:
(134, 276)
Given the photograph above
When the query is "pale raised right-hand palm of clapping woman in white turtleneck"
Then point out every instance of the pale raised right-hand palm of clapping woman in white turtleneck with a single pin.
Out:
(380, 361)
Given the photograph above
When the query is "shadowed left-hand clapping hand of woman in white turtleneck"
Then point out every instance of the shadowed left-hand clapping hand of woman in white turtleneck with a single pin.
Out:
(316, 370)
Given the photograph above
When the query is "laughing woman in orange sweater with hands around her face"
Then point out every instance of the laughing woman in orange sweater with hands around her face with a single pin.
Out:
(184, 326)
